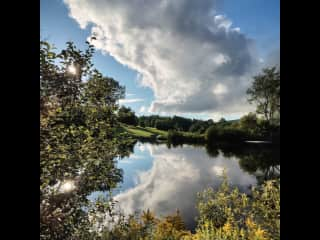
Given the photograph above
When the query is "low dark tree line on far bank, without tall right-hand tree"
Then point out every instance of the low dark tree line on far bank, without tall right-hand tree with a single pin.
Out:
(180, 129)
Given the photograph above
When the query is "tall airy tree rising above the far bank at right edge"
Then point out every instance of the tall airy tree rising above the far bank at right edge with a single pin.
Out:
(265, 92)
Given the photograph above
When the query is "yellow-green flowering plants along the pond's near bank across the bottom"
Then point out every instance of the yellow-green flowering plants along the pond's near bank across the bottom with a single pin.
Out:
(223, 214)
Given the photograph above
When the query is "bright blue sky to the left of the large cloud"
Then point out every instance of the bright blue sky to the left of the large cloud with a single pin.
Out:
(58, 28)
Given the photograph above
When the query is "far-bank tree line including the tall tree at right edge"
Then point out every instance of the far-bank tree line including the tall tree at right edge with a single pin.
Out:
(262, 125)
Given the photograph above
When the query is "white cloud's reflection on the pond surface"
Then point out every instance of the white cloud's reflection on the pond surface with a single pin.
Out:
(175, 178)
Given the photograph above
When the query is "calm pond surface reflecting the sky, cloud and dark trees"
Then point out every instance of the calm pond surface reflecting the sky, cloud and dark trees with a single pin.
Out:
(165, 179)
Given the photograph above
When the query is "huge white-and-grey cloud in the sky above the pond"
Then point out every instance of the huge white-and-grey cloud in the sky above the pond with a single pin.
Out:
(185, 51)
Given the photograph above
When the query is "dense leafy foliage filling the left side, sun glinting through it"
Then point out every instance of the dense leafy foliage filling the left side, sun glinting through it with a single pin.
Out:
(78, 142)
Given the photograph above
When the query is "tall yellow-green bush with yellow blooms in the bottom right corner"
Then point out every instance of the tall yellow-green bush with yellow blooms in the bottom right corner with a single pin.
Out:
(229, 214)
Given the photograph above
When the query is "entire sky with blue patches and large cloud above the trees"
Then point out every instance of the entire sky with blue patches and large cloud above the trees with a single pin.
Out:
(190, 58)
